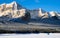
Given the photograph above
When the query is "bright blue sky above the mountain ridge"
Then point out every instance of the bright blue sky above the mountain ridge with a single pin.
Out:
(47, 5)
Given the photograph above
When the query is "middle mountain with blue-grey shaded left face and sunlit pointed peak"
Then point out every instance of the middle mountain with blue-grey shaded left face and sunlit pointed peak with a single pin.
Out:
(38, 13)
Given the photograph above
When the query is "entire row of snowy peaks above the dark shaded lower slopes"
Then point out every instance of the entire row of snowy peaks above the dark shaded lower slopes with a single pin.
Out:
(14, 10)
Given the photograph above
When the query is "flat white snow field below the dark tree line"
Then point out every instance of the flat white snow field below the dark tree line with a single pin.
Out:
(40, 35)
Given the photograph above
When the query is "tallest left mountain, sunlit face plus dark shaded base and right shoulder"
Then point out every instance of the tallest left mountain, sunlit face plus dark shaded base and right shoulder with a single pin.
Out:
(13, 12)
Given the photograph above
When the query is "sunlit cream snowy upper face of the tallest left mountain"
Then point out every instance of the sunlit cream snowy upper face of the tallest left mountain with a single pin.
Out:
(13, 10)
